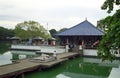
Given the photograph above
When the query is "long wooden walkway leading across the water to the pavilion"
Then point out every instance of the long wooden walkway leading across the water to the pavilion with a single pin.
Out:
(23, 66)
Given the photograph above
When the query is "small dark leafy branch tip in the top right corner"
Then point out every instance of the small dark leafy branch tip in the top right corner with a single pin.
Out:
(109, 4)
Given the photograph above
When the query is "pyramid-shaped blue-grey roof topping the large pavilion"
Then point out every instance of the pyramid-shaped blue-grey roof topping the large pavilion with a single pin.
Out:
(82, 26)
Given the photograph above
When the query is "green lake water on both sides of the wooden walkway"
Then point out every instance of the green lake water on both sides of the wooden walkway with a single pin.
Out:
(81, 67)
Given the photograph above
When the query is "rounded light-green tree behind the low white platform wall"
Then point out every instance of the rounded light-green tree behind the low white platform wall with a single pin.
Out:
(29, 29)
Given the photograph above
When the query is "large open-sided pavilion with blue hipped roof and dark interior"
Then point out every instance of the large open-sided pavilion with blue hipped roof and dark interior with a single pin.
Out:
(84, 33)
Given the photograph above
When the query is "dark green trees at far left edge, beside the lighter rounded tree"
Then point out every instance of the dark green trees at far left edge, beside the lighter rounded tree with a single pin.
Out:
(4, 33)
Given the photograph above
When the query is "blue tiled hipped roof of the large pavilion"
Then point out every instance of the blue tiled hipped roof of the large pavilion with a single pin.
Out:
(85, 28)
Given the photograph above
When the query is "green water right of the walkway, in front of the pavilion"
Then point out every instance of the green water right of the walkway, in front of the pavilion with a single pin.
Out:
(77, 68)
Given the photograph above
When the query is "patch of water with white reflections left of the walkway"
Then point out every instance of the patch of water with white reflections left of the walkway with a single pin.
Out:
(10, 56)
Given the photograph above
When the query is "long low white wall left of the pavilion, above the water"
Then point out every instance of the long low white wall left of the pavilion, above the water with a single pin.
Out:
(43, 49)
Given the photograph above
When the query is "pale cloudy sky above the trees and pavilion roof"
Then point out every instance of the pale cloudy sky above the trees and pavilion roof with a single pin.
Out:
(52, 14)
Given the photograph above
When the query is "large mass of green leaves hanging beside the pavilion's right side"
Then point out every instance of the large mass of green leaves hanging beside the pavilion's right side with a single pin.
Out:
(110, 44)
